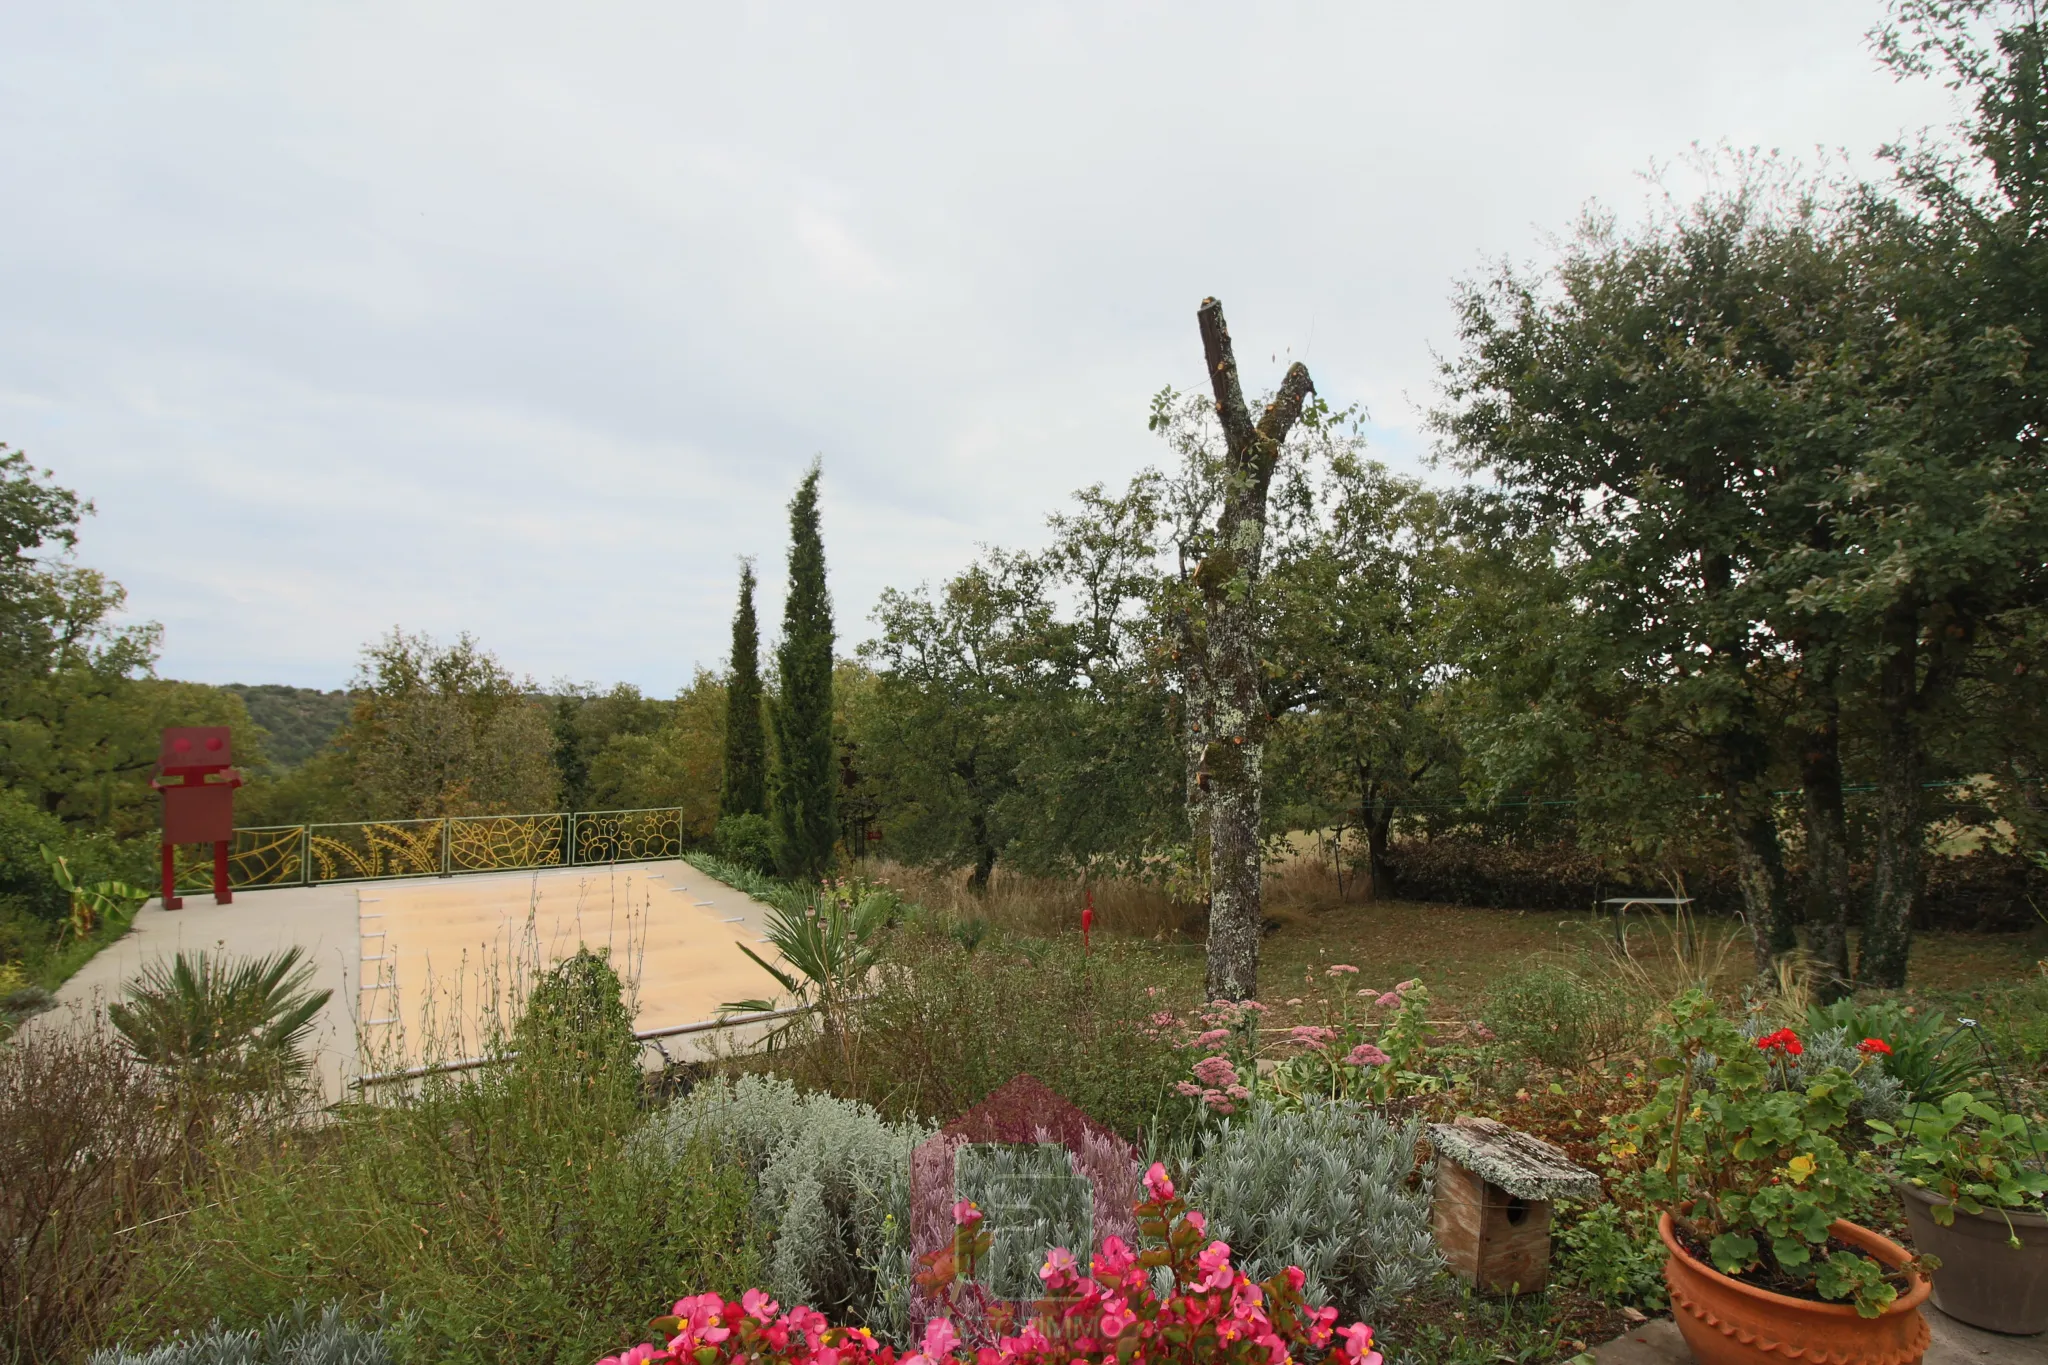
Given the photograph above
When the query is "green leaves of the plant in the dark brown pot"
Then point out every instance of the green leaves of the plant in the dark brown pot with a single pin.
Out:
(1971, 1155)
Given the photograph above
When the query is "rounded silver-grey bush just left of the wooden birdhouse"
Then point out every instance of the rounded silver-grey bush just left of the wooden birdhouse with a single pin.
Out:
(1334, 1190)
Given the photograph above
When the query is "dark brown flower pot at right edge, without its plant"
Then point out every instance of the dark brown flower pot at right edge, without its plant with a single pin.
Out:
(1986, 1280)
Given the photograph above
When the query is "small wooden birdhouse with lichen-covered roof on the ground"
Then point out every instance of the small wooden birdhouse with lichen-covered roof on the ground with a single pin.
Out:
(1494, 1192)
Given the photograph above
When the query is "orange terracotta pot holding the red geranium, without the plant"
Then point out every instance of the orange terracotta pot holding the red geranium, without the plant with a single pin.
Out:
(1730, 1323)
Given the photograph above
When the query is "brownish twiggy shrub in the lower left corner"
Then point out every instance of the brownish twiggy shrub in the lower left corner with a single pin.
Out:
(89, 1147)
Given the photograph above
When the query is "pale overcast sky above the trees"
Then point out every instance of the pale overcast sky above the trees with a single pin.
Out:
(525, 320)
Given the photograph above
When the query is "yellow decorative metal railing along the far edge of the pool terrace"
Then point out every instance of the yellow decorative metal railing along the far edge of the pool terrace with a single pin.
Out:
(376, 850)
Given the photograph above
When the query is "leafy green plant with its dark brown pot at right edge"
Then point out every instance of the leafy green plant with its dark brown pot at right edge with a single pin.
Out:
(1973, 1184)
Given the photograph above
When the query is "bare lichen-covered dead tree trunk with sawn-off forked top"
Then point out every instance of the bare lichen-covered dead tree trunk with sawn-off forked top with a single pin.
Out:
(1234, 732)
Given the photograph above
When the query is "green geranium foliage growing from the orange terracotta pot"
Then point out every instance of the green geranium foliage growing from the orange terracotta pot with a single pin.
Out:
(1760, 1163)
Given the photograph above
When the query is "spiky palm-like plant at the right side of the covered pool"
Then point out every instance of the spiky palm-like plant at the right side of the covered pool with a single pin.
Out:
(830, 946)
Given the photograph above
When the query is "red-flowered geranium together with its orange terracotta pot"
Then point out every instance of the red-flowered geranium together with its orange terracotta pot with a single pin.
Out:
(1764, 1264)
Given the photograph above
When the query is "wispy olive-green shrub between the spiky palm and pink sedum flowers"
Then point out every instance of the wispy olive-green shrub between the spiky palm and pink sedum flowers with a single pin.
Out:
(945, 1026)
